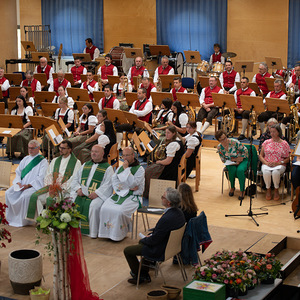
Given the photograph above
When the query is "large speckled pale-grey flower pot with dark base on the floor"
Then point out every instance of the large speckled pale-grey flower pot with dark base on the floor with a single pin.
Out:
(25, 269)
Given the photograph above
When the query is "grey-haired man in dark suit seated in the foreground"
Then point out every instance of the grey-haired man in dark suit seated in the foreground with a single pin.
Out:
(154, 244)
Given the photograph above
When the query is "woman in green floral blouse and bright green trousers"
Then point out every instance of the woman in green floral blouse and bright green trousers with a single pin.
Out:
(235, 157)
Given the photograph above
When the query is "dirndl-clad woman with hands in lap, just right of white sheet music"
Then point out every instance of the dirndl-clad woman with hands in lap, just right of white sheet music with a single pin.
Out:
(86, 128)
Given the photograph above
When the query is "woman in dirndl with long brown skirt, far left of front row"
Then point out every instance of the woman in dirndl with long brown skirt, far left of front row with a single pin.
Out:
(19, 142)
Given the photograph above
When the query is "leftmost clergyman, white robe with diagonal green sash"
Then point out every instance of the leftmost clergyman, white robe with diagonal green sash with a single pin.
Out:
(29, 178)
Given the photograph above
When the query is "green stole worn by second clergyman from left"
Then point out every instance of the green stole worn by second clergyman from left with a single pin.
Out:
(68, 173)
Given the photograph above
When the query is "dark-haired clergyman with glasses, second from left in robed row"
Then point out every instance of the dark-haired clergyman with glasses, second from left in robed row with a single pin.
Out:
(62, 169)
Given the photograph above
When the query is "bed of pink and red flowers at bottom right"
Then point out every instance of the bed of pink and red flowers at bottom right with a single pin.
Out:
(238, 270)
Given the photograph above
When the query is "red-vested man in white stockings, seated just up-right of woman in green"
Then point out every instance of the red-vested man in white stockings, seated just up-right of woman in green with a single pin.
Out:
(244, 90)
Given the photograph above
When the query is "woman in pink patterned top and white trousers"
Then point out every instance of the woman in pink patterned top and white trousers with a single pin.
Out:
(274, 155)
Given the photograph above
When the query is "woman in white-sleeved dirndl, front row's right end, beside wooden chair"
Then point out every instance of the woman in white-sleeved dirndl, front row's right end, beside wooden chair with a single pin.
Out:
(192, 143)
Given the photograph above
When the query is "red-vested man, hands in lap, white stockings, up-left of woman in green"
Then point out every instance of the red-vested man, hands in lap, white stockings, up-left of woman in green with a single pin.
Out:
(208, 109)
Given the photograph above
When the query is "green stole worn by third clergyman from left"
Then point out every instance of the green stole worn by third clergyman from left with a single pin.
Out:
(84, 201)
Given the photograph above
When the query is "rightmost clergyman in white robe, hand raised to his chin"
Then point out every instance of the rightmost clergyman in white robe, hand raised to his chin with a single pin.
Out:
(128, 183)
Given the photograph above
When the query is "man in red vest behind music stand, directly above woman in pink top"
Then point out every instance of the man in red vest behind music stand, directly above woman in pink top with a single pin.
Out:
(266, 115)
